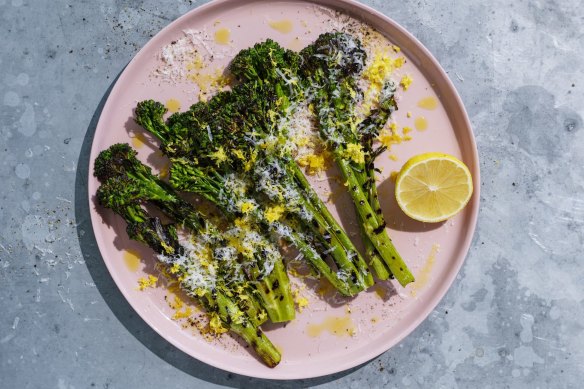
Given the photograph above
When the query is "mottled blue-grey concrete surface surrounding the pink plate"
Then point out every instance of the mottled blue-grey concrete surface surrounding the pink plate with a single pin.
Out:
(515, 315)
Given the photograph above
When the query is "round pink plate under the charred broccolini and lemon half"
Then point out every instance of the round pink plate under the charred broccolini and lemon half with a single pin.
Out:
(331, 334)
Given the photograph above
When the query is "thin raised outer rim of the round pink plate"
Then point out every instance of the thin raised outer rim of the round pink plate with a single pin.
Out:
(357, 10)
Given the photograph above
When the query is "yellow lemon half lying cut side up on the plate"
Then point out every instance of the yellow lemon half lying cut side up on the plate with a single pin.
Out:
(433, 187)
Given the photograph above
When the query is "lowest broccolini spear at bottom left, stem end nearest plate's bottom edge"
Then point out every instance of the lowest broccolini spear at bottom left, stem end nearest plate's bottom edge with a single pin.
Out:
(197, 277)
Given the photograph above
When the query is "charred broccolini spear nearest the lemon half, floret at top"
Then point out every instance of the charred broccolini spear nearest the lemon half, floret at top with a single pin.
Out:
(330, 69)
